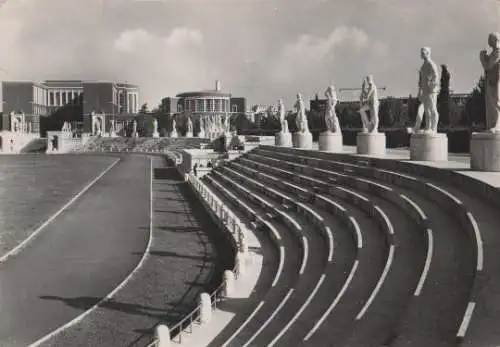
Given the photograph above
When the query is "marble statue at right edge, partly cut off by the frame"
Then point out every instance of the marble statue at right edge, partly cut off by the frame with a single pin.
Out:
(491, 66)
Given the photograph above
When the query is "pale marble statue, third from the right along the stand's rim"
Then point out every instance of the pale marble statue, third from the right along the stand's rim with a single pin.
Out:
(369, 102)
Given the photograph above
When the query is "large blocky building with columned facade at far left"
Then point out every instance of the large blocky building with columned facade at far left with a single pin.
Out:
(57, 101)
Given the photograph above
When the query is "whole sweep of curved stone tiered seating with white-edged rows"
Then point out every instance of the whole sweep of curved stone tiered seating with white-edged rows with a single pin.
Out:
(397, 259)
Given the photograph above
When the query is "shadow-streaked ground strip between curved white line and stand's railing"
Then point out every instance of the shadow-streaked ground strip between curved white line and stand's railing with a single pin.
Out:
(183, 262)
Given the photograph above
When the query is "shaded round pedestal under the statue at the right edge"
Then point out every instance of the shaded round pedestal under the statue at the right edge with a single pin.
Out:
(485, 152)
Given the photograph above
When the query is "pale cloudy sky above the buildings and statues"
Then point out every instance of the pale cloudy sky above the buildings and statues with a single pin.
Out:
(261, 49)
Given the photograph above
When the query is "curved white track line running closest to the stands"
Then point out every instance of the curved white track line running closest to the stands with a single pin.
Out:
(122, 284)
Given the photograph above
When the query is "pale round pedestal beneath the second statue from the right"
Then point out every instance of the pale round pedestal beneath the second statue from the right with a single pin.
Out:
(429, 147)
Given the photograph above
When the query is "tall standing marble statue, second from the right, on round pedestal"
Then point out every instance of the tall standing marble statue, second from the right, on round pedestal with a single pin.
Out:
(428, 88)
